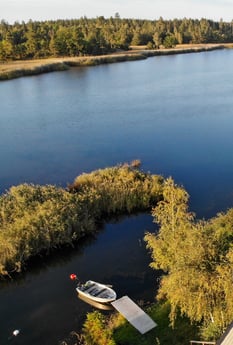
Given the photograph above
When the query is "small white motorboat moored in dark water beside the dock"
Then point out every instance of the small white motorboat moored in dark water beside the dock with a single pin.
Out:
(97, 292)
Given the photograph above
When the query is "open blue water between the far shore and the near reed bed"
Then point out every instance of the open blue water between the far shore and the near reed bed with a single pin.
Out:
(173, 112)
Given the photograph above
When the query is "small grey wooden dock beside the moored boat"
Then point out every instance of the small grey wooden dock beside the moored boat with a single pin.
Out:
(134, 314)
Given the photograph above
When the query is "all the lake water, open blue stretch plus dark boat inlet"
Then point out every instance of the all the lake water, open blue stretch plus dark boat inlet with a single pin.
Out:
(174, 113)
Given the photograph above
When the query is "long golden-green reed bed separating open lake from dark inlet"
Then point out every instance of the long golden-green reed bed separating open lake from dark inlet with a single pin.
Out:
(35, 219)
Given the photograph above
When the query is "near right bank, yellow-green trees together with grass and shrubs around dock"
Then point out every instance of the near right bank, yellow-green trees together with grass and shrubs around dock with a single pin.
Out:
(197, 257)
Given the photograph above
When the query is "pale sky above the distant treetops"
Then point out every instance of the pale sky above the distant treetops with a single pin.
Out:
(24, 10)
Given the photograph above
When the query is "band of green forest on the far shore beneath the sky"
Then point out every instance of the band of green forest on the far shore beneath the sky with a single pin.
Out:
(78, 37)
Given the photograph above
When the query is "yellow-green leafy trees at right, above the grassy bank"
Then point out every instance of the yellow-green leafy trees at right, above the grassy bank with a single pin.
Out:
(198, 259)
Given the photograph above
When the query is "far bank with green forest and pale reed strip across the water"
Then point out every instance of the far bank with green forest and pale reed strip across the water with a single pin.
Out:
(39, 47)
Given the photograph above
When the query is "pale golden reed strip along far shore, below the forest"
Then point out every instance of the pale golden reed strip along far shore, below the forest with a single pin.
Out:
(16, 69)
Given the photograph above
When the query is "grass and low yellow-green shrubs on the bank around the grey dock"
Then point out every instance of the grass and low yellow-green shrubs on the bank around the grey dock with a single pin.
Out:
(113, 329)
